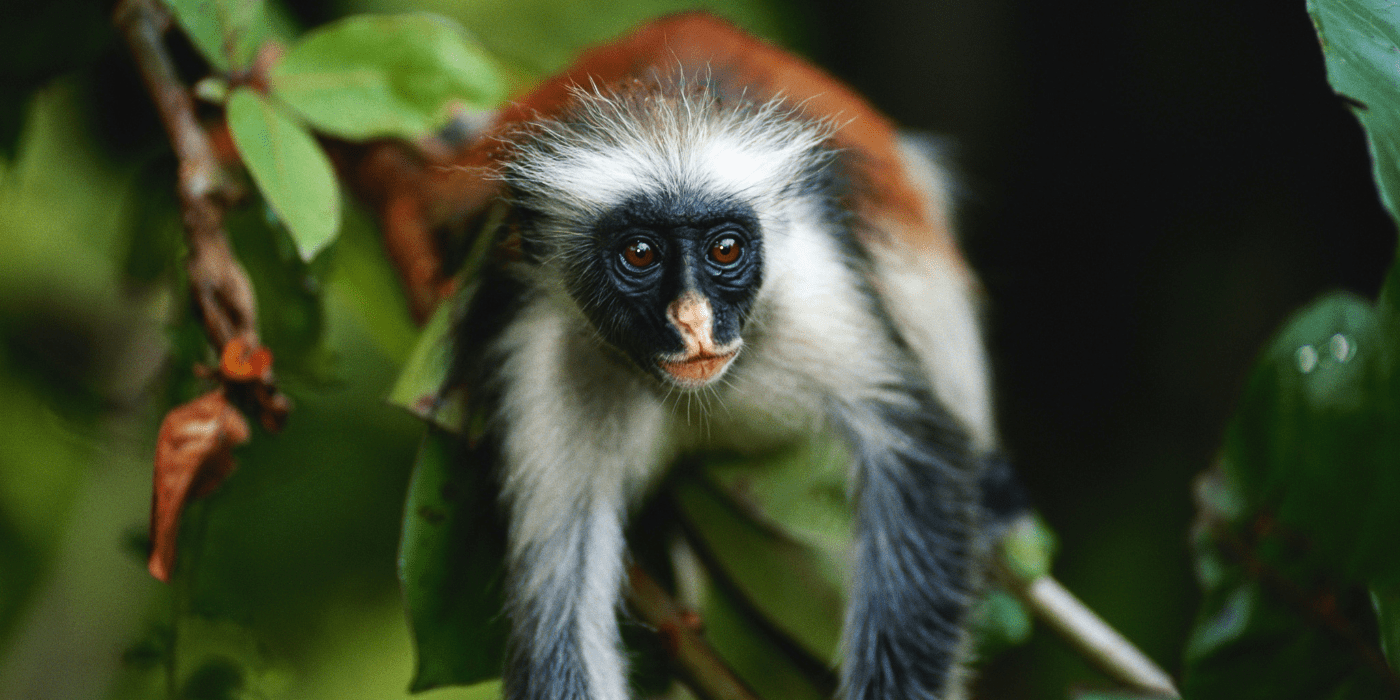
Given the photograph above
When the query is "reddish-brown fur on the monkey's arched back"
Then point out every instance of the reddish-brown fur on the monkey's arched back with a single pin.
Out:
(740, 66)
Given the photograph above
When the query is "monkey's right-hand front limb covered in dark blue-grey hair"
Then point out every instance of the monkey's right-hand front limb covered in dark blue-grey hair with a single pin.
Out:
(916, 559)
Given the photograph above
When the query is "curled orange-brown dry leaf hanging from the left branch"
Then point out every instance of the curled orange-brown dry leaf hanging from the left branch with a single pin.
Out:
(194, 456)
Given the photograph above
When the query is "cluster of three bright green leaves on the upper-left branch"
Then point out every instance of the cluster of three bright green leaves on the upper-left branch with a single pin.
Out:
(362, 78)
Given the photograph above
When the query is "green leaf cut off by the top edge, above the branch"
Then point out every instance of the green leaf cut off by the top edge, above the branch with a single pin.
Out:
(227, 33)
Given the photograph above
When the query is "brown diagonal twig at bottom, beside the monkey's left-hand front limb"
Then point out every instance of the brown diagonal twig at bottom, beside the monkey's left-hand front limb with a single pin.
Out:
(698, 664)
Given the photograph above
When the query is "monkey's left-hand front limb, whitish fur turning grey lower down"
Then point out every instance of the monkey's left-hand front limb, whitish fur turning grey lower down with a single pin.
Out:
(575, 439)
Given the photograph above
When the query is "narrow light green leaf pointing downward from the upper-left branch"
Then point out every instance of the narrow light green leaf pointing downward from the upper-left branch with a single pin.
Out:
(290, 170)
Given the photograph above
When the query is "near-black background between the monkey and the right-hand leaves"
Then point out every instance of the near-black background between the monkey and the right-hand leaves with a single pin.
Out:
(1150, 190)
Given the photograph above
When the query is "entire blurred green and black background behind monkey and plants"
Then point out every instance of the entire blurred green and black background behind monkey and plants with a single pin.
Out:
(1149, 190)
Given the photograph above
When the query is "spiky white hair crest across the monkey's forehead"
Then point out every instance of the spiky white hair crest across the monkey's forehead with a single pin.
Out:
(670, 138)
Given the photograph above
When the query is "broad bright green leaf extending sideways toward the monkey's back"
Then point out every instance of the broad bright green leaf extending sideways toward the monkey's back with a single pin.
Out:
(367, 76)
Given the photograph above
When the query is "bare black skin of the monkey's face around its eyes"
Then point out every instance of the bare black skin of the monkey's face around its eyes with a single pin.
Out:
(673, 241)
